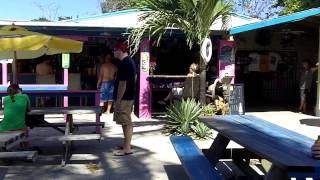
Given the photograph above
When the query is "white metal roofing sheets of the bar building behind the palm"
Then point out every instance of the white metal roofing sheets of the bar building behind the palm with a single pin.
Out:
(117, 20)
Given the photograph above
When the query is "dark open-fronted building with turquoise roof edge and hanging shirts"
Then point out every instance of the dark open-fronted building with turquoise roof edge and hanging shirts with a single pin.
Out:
(269, 60)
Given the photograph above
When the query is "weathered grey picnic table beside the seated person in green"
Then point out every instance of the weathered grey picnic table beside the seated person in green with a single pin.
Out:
(69, 125)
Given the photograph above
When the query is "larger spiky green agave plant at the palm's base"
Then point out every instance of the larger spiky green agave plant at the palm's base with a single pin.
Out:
(182, 115)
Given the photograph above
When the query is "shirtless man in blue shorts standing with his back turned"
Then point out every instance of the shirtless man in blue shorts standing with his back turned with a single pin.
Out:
(106, 83)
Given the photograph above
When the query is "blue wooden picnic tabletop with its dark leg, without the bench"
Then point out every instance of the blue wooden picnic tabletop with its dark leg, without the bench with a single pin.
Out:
(288, 151)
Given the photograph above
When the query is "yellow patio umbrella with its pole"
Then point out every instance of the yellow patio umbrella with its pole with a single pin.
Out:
(18, 43)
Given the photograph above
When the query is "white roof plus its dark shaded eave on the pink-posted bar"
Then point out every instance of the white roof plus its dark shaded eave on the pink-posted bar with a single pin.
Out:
(109, 24)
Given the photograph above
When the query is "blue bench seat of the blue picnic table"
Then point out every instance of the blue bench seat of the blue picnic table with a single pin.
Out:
(194, 162)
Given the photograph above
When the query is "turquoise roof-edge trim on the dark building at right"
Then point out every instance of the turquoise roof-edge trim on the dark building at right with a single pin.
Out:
(275, 21)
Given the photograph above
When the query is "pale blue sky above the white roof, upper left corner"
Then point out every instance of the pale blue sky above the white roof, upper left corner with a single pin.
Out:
(51, 9)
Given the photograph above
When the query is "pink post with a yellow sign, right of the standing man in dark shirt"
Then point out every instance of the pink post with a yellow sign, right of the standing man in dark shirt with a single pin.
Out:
(145, 90)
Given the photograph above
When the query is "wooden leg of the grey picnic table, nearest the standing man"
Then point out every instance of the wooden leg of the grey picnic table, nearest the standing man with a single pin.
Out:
(67, 144)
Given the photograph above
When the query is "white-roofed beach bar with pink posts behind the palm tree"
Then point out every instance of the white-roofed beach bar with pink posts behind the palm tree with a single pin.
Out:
(100, 33)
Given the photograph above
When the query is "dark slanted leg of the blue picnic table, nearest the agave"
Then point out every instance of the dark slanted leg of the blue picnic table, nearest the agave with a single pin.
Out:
(217, 149)
